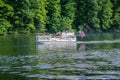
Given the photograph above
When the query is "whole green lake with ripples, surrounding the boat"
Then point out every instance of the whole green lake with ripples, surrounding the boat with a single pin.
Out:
(97, 56)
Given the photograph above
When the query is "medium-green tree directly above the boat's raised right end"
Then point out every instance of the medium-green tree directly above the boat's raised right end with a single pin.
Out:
(67, 13)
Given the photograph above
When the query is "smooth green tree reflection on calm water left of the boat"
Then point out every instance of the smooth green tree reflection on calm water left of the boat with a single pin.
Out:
(17, 45)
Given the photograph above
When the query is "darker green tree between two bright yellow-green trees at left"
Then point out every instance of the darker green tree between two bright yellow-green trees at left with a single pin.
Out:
(23, 17)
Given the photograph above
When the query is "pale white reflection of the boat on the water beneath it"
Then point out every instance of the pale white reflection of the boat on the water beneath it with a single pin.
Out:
(56, 47)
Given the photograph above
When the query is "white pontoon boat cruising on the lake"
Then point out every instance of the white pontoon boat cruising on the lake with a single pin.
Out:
(65, 37)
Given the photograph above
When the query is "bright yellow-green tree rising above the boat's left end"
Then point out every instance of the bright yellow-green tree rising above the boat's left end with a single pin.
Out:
(38, 7)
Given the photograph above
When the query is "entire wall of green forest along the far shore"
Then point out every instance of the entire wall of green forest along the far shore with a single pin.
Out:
(51, 16)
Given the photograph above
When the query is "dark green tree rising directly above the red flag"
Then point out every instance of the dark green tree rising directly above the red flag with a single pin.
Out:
(86, 14)
